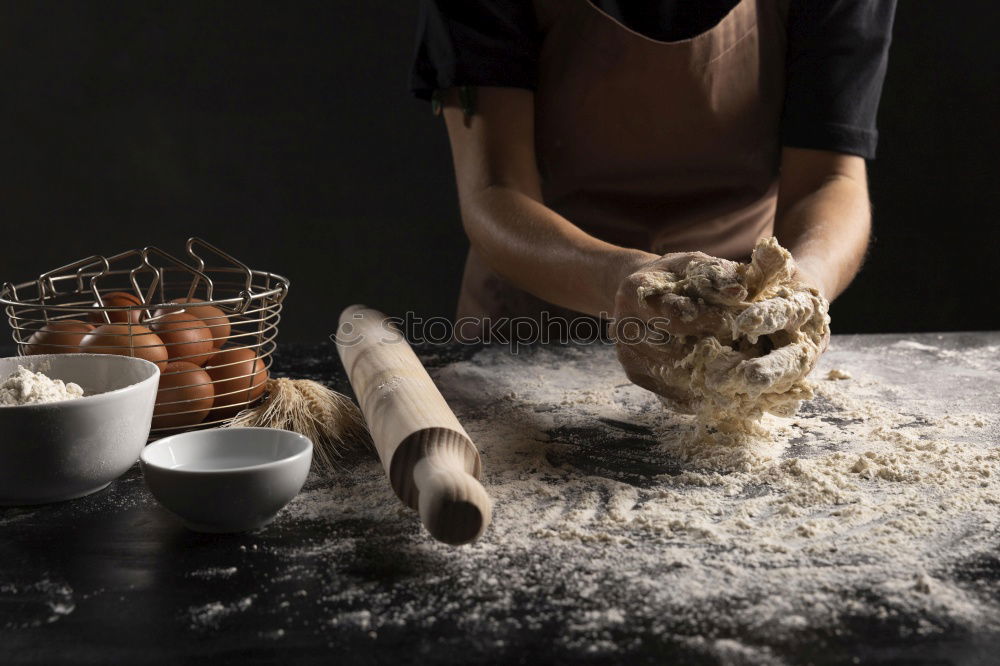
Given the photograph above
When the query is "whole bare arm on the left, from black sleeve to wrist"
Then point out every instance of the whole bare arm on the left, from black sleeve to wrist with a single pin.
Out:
(499, 191)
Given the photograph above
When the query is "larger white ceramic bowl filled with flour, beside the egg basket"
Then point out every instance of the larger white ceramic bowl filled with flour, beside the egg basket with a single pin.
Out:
(62, 450)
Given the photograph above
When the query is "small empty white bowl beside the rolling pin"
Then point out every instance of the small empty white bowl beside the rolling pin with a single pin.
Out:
(227, 479)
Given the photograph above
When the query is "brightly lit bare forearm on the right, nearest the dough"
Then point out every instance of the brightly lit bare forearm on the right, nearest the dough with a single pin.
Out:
(827, 231)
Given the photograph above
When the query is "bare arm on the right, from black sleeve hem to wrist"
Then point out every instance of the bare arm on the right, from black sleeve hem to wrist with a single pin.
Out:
(824, 216)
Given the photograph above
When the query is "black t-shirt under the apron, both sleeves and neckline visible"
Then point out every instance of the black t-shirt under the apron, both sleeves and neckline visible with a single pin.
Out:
(835, 61)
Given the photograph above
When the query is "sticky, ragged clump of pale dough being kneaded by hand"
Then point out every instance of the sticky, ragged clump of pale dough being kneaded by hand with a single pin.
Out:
(770, 330)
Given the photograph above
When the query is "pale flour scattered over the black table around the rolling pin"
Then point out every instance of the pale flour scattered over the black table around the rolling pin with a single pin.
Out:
(872, 509)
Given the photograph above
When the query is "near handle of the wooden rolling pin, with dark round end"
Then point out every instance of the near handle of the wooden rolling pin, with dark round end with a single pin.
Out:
(453, 505)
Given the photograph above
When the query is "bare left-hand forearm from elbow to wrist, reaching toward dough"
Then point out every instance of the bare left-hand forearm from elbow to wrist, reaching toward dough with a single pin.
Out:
(537, 250)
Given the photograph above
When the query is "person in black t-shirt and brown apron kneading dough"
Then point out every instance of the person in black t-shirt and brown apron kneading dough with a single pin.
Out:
(594, 140)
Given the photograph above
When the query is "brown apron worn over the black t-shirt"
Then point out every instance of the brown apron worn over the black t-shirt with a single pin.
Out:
(661, 146)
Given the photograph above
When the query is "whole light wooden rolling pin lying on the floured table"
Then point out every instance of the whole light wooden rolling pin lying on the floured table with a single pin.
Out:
(432, 464)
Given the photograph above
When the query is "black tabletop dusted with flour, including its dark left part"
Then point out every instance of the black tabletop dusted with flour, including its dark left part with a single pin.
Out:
(869, 529)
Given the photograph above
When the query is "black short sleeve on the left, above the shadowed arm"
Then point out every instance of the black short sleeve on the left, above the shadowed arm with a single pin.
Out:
(480, 43)
